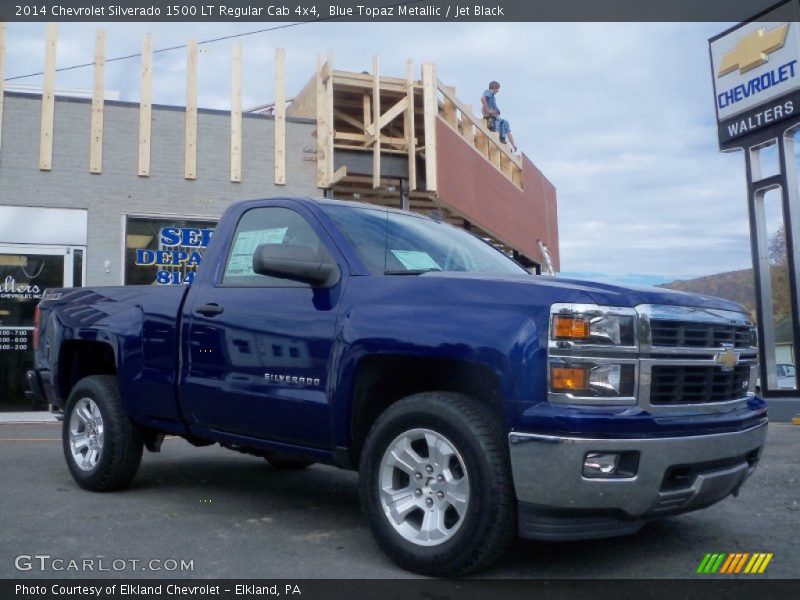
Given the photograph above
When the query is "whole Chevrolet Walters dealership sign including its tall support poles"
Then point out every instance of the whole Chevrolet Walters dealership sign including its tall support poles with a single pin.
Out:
(756, 73)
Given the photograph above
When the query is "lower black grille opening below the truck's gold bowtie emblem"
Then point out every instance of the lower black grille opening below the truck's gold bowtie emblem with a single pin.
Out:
(697, 385)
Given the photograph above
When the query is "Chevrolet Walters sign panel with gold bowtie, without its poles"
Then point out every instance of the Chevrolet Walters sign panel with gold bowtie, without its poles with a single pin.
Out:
(756, 70)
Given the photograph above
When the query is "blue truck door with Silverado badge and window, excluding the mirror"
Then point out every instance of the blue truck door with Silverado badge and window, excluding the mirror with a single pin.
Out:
(256, 349)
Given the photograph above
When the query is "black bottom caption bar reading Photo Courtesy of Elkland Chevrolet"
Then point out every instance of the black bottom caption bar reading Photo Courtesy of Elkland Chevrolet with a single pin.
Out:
(730, 587)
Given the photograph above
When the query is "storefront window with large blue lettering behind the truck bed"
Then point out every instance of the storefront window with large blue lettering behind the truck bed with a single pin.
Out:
(164, 251)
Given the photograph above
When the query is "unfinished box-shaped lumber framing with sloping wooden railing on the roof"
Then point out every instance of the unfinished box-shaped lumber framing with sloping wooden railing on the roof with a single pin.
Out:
(386, 116)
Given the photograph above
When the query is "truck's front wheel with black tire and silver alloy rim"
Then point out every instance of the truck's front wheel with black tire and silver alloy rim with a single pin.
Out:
(435, 484)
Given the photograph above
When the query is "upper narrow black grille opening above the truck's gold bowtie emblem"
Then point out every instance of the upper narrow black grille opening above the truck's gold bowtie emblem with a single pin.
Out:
(687, 334)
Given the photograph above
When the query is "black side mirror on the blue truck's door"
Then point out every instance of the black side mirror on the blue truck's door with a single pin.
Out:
(298, 263)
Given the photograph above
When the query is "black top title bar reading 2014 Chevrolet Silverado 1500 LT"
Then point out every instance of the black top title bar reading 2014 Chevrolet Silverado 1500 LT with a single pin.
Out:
(380, 10)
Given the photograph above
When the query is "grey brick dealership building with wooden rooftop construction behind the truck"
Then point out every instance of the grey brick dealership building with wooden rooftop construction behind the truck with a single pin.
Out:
(98, 192)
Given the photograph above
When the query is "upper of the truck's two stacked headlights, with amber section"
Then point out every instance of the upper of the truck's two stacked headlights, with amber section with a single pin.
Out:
(593, 325)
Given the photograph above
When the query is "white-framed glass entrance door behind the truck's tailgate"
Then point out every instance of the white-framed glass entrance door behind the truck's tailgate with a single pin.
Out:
(25, 273)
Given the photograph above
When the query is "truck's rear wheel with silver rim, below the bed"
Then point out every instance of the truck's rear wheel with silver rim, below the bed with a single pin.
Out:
(103, 448)
